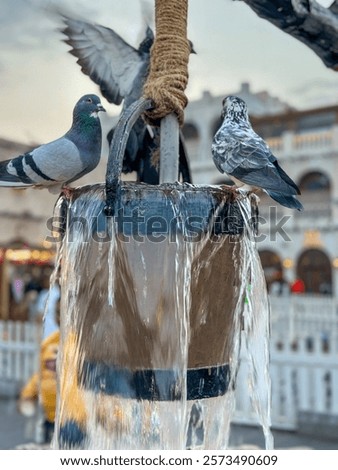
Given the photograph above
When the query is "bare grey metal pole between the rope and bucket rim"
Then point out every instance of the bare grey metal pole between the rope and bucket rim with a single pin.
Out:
(169, 149)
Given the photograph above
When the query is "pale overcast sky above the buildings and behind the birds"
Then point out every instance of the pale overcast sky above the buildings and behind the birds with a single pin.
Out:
(40, 81)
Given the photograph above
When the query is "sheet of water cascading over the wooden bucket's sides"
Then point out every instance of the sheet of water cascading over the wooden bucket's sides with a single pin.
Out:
(156, 306)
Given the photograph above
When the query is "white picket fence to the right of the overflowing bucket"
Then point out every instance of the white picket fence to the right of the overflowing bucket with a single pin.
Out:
(303, 362)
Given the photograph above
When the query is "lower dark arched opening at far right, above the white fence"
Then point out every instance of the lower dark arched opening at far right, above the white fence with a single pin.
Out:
(314, 268)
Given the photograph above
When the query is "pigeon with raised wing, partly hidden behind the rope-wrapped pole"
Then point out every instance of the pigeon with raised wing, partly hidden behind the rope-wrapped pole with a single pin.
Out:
(120, 70)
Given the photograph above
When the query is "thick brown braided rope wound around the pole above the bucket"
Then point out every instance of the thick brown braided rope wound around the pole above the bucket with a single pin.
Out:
(168, 75)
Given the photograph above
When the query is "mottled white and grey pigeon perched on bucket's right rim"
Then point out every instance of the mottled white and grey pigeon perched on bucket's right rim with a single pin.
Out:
(244, 156)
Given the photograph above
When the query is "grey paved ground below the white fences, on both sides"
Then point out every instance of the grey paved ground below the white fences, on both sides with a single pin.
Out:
(16, 430)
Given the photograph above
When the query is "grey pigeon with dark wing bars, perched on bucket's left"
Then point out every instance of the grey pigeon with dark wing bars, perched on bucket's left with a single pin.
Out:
(56, 164)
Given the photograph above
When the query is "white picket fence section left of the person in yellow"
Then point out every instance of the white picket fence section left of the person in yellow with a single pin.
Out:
(19, 351)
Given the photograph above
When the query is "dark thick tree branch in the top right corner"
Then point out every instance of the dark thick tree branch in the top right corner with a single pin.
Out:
(307, 21)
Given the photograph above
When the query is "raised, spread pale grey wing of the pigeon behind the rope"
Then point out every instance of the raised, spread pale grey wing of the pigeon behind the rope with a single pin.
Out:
(103, 55)
